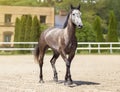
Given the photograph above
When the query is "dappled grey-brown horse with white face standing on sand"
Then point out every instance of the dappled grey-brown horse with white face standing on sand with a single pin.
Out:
(62, 41)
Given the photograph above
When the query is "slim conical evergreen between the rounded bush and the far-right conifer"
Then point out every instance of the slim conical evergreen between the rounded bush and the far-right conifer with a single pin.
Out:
(98, 29)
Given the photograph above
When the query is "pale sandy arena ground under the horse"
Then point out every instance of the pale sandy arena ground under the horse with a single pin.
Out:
(90, 73)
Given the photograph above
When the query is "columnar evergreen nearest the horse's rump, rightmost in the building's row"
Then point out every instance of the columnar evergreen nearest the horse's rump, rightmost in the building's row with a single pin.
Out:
(35, 32)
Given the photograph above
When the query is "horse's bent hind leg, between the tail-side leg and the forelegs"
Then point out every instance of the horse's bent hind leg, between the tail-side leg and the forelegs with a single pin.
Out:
(52, 61)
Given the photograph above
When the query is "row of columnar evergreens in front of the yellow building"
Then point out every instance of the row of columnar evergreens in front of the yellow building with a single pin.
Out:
(27, 30)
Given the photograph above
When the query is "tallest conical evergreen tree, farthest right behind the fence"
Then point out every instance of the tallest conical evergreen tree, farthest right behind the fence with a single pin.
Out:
(112, 28)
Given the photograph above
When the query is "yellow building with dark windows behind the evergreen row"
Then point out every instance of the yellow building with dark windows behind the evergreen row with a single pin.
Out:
(8, 15)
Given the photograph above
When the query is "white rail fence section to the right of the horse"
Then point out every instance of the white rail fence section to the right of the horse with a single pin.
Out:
(99, 46)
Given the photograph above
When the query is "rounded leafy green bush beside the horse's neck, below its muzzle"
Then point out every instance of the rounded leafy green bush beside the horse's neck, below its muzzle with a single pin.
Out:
(86, 34)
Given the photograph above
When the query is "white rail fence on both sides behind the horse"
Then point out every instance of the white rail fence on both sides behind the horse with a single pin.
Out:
(81, 46)
